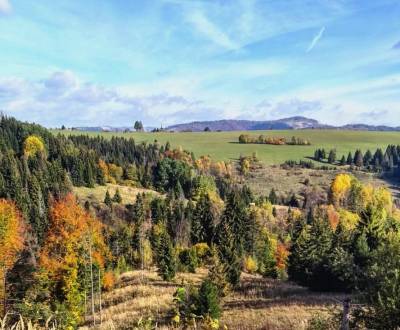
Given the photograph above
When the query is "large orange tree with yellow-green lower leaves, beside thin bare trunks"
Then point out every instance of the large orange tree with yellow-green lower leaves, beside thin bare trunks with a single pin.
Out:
(74, 246)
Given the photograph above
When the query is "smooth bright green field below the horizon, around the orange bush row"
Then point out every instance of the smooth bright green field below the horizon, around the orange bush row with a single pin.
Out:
(224, 146)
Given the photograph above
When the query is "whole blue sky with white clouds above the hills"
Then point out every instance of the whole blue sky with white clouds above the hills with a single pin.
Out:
(111, 62)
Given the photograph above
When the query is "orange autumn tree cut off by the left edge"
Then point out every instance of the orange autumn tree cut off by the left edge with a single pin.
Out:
(11, 243)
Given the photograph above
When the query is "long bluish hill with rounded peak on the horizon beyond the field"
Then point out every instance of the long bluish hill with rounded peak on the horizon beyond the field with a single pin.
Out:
(297, 122)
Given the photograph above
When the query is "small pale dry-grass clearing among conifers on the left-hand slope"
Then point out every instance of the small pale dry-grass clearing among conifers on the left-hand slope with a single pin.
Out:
(96, 194)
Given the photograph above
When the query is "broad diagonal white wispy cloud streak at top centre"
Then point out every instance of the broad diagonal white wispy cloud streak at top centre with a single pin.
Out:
(211, 30)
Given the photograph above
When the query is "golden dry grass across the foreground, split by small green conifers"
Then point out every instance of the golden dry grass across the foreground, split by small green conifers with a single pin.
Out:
(257, 304)
